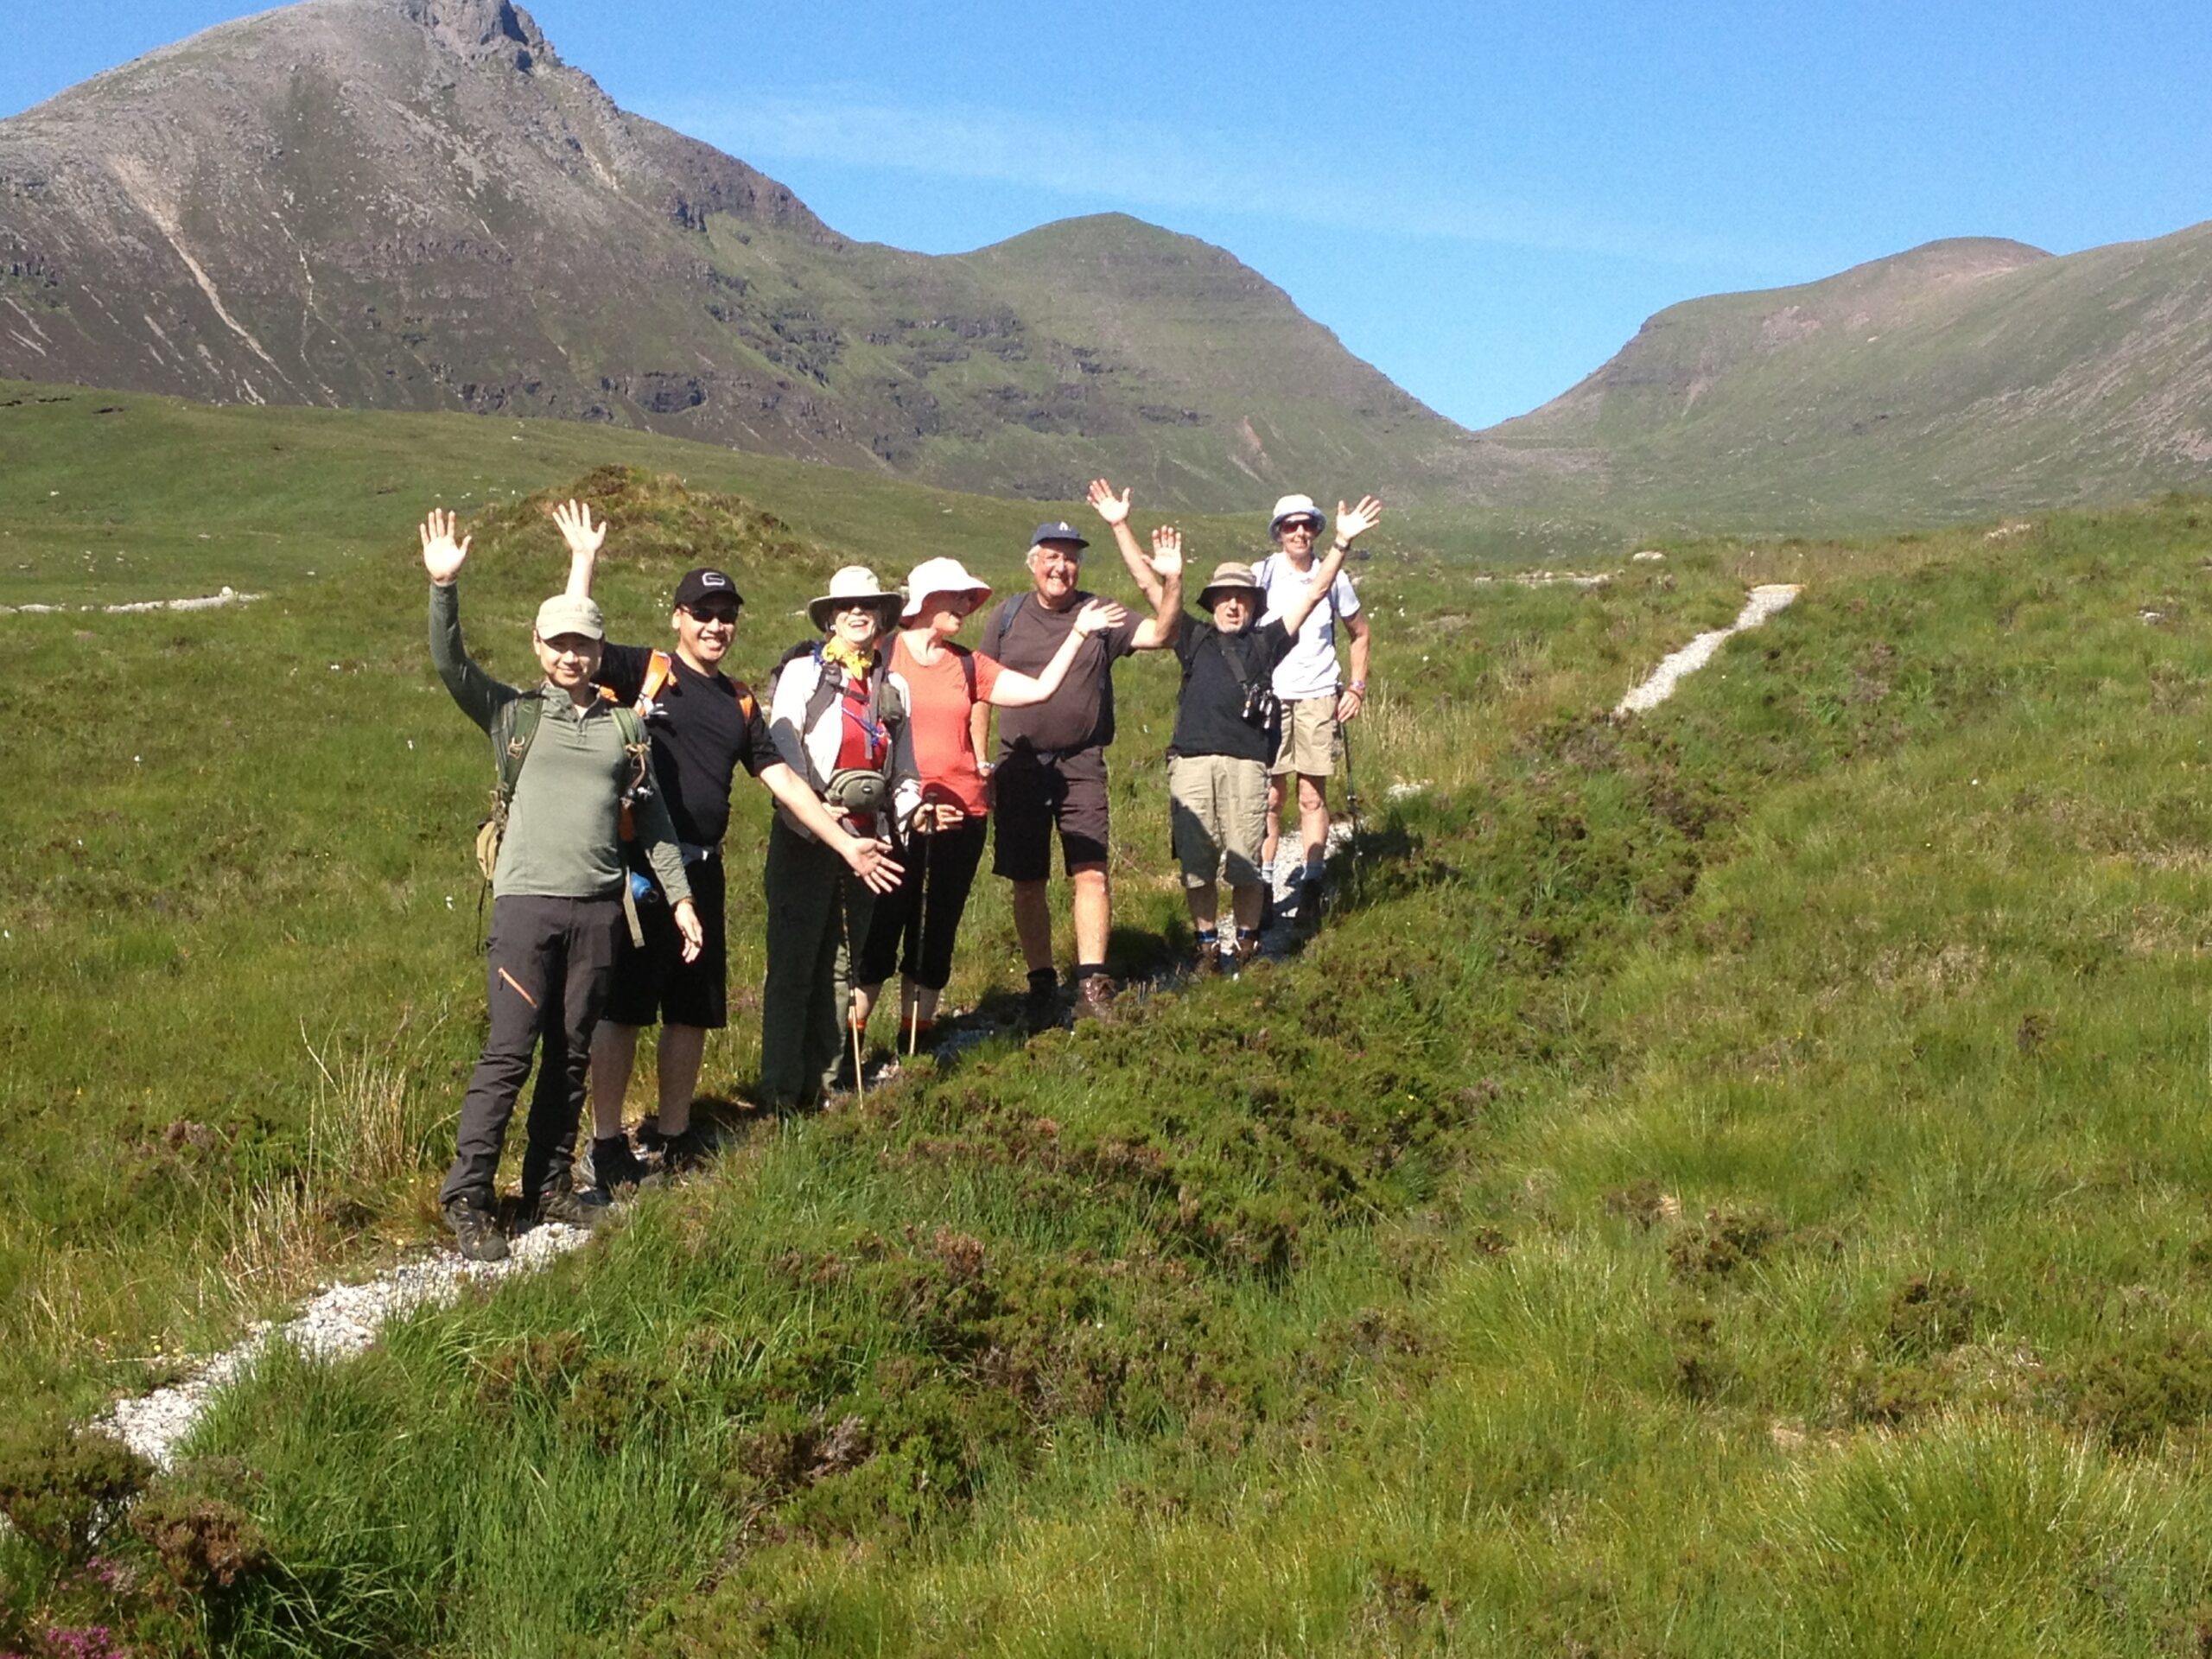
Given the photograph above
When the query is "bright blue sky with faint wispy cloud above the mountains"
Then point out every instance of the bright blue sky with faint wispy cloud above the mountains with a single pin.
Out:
(1483, 200)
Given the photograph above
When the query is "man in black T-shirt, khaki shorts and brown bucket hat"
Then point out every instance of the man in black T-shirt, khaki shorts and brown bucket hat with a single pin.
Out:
(1224, 738)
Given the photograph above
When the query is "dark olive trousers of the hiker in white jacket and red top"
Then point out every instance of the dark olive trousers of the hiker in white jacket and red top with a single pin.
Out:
(817, 921)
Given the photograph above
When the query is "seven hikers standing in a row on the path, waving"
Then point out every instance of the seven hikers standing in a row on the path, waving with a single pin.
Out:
(605, 851)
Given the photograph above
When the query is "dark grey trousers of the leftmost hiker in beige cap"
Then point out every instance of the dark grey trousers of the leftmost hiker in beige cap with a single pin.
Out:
(550, 963)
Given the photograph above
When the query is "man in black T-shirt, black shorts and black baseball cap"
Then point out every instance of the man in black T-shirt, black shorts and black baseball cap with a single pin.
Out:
(702, 727)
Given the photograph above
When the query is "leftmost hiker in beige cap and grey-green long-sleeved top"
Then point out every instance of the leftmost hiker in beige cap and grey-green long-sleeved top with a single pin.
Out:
(556, 897)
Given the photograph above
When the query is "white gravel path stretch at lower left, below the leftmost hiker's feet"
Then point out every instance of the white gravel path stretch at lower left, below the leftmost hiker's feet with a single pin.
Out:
(340, 1324)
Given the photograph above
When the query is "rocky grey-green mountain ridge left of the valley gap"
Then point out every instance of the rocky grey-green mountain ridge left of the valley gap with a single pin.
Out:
(419, 205)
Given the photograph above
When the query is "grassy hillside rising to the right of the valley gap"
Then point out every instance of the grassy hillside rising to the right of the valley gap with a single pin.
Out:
(1952, 382)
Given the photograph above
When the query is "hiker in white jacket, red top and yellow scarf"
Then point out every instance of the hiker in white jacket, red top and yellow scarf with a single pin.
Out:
(839, 720)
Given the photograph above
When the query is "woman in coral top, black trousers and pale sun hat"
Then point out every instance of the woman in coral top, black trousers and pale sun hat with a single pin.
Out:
(950, 691)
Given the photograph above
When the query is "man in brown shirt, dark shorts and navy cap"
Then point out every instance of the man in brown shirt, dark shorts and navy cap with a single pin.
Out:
(1052, 755)
